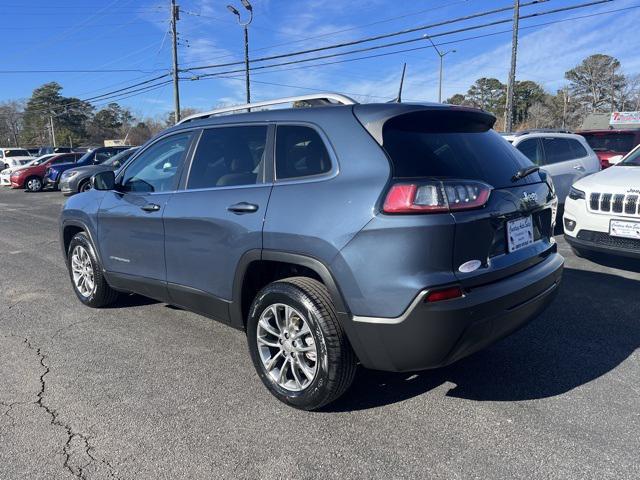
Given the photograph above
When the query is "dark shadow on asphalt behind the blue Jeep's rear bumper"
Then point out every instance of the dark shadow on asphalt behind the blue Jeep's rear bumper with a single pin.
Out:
(590, 328)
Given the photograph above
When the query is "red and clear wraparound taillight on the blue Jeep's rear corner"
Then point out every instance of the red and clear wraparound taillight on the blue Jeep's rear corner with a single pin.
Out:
(436, 196)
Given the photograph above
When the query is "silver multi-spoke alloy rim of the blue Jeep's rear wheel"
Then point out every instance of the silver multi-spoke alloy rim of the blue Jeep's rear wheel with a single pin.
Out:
(286, 347)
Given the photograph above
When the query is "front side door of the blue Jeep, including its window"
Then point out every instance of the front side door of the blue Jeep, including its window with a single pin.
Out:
(130, 228)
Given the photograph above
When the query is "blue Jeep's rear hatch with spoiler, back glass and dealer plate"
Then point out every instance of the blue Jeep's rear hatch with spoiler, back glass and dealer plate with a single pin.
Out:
(507, 233)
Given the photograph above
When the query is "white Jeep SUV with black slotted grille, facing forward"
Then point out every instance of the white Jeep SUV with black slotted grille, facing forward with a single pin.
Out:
(601, 211)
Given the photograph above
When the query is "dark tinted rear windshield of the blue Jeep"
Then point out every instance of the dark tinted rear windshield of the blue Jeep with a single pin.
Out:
(452, 144)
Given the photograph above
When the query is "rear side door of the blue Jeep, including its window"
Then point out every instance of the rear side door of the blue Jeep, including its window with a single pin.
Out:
(217, 216)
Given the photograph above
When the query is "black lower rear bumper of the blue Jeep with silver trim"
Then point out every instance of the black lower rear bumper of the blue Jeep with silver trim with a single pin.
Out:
(430, 335)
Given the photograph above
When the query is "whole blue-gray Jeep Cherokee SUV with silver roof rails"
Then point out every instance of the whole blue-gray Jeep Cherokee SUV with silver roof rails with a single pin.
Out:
(398, 236)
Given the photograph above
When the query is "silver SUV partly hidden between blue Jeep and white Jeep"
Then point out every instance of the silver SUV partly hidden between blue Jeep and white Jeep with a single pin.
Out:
(565, 156)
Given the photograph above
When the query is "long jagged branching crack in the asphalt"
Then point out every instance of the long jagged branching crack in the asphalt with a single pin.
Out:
(79, 471)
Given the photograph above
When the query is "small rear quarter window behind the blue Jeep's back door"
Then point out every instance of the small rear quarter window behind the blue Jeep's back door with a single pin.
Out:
(300, 152)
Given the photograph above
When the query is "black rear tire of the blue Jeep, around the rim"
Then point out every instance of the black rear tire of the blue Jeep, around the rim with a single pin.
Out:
(335, 361)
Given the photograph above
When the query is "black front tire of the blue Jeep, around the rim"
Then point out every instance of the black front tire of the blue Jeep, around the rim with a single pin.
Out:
(102, 294)
